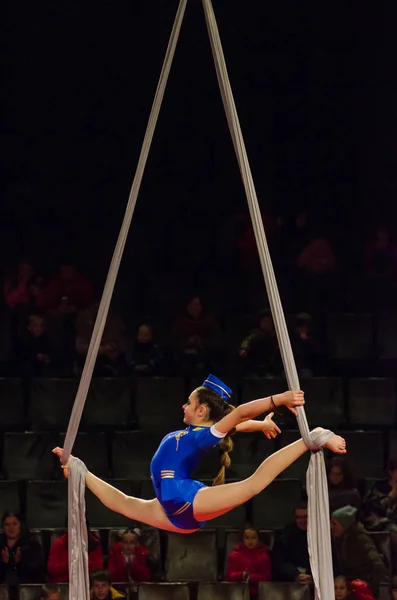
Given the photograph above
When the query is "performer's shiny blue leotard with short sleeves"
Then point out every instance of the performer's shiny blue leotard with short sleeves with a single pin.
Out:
(177, 456)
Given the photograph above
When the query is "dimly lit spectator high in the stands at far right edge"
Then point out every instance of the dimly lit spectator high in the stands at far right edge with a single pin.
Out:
(381, 254)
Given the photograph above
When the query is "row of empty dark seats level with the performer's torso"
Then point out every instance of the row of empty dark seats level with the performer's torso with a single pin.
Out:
(127, 454)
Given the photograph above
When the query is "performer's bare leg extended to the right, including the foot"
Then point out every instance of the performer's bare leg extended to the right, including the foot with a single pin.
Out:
(211, 502)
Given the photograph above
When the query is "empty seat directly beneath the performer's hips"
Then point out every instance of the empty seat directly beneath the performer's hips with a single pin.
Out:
(192, 557)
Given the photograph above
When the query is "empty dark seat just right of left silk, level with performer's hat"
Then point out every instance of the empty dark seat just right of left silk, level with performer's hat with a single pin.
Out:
(109, 403)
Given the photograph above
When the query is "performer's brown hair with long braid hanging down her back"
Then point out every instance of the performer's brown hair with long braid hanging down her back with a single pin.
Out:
(217, 409)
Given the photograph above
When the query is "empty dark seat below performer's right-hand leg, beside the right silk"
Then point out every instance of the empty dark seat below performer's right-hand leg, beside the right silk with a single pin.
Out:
(273, 507)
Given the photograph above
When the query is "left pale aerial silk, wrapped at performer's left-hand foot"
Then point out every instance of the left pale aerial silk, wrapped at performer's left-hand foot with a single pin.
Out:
(78, 561)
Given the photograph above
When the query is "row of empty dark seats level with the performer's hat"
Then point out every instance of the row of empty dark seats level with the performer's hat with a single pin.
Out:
(154, 404)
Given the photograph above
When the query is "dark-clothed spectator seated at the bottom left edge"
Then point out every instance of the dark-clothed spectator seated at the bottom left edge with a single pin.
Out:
(21, 557)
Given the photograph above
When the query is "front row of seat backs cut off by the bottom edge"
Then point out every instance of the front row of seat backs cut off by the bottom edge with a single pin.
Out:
(184, 591)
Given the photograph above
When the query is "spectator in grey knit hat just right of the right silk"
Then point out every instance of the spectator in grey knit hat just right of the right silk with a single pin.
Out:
(356, 556)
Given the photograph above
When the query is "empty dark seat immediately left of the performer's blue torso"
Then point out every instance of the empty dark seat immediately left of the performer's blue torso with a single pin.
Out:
(132, 452)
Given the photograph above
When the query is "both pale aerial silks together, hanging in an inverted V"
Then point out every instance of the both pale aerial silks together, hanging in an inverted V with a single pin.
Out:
(318, 528)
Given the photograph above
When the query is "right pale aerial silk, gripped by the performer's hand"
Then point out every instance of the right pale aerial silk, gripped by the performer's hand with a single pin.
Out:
(319, 538)
